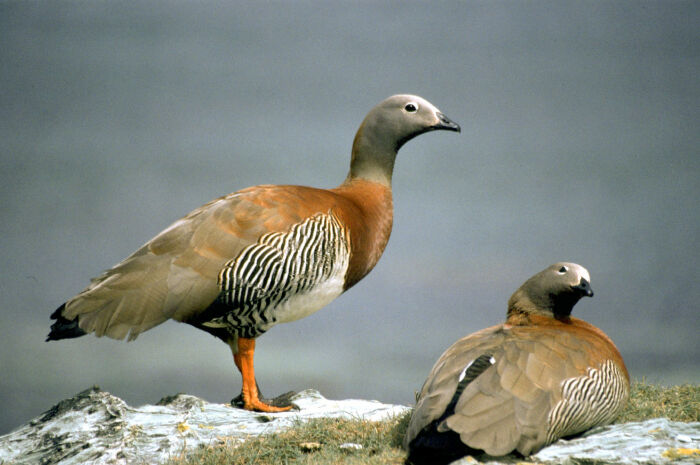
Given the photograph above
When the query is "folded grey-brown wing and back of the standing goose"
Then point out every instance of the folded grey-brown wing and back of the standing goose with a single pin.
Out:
(174, 275)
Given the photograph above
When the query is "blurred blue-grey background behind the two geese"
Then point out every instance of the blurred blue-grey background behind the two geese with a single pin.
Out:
(579, 142)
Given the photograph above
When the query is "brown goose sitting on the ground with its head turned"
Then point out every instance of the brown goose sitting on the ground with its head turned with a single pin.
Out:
(521, 385)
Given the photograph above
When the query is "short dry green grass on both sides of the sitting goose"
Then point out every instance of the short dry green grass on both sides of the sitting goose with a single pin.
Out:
(319, 441)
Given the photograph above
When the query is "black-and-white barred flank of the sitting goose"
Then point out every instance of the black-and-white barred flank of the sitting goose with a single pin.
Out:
(595, 398)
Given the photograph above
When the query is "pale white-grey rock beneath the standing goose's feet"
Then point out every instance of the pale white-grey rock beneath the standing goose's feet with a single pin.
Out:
(98, 428)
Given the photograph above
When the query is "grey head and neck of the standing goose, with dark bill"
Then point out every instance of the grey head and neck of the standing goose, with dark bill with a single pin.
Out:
(388, 126)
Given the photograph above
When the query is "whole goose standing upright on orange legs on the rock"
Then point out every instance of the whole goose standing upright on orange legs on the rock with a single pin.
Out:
(264, 255)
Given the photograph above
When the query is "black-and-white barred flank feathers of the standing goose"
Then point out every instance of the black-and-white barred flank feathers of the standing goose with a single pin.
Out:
(267, 274)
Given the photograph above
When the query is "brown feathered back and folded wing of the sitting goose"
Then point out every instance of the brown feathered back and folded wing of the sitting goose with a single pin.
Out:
(507, 406)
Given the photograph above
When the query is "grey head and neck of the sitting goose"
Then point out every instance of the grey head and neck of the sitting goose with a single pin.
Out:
(553, 291)
